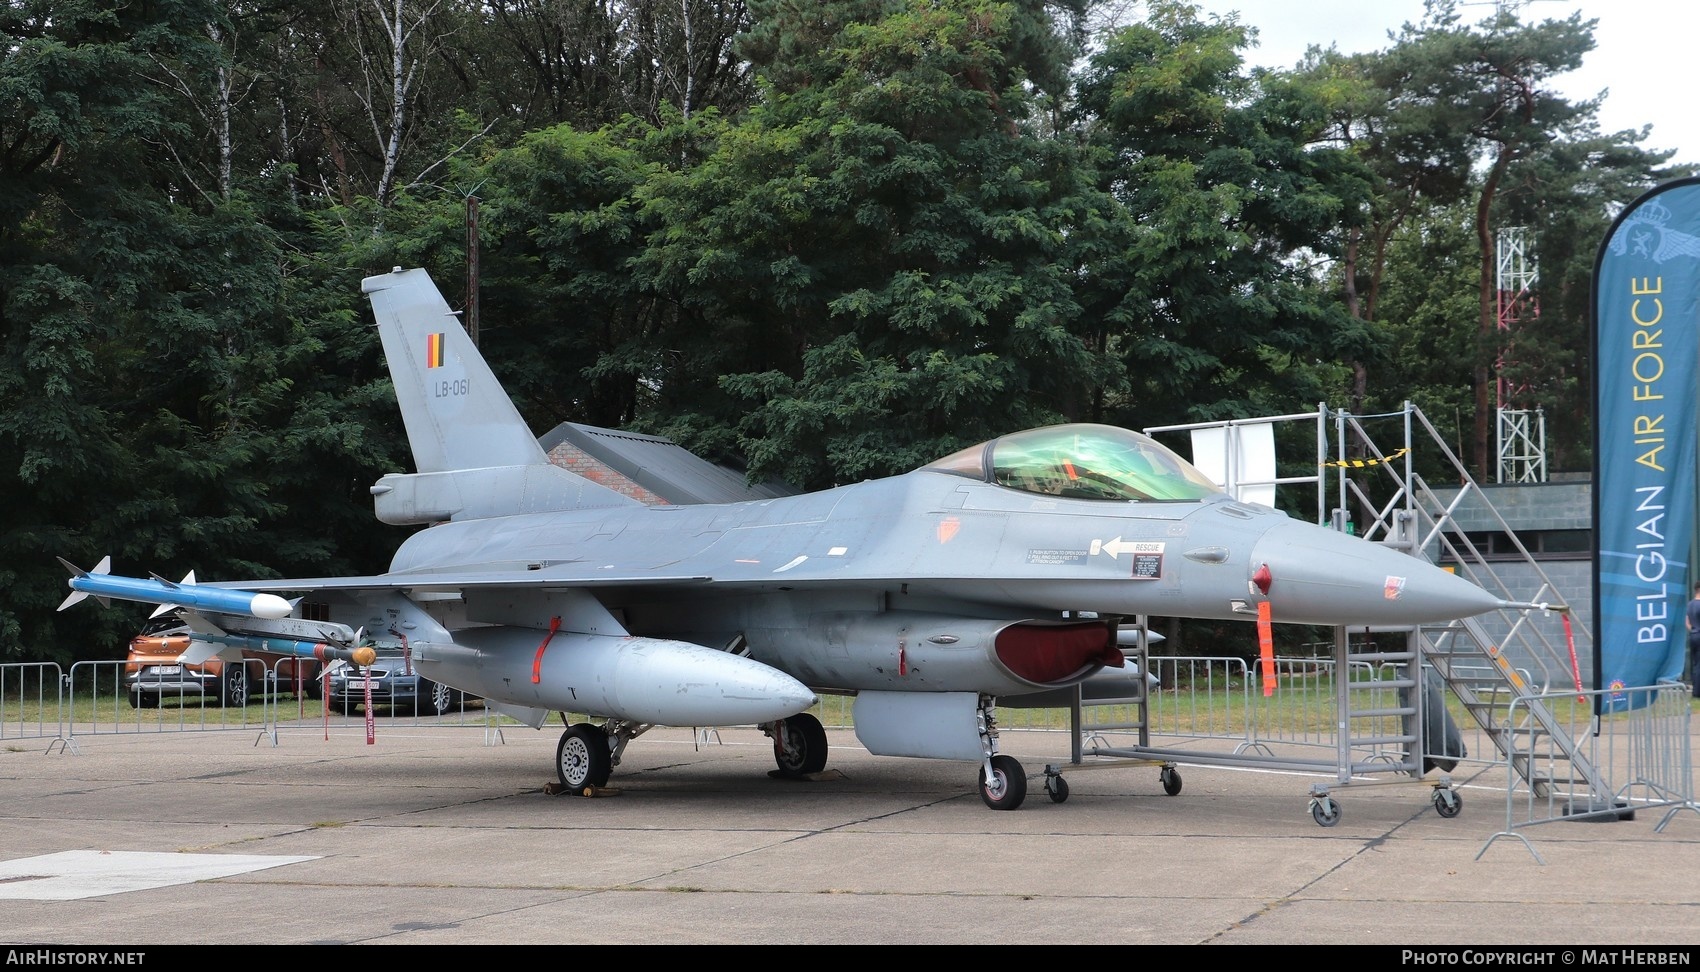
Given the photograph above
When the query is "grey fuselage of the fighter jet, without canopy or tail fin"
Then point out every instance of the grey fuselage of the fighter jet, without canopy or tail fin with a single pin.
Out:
(791, 579)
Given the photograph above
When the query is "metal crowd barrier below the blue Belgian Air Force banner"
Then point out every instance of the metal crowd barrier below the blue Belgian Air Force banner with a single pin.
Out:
(1640, 754)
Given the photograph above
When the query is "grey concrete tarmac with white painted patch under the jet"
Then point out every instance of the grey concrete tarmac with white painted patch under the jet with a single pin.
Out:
(448, 837)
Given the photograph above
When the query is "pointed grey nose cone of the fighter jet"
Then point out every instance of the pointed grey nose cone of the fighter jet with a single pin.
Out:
(1323, 577)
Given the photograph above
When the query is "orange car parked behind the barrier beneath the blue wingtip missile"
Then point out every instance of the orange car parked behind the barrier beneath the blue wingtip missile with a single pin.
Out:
(154, 672)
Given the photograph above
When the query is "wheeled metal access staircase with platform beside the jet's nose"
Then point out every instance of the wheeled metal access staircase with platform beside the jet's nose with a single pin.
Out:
(1391, 686)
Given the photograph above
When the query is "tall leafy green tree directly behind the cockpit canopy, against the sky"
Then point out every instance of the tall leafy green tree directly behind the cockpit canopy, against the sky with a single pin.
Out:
(1230, 196)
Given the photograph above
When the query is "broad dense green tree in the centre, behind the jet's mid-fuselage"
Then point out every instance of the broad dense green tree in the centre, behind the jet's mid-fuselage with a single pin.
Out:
(887, 254)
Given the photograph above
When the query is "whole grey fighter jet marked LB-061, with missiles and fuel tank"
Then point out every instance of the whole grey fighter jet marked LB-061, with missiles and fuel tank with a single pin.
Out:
(999, 572)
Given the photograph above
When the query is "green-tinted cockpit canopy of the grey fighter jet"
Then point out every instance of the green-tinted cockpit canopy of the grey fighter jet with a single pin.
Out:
(1082, 461)
